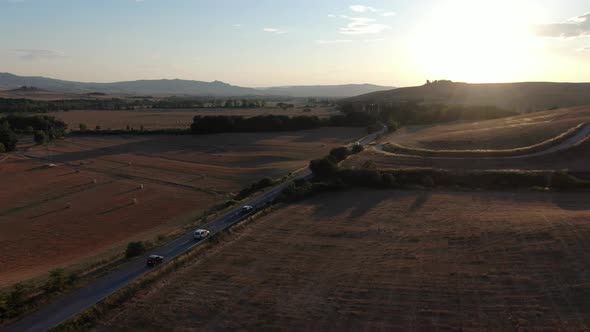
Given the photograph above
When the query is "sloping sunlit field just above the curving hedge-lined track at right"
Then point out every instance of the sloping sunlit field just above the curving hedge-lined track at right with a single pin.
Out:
(505, 133)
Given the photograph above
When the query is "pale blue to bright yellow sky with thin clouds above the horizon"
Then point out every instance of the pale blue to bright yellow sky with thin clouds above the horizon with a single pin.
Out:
(260, 43)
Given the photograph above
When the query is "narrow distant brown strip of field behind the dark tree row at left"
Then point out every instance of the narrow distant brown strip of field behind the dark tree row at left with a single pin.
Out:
(168, 118)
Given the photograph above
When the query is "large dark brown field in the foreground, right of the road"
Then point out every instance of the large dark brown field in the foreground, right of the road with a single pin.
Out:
(387, 260)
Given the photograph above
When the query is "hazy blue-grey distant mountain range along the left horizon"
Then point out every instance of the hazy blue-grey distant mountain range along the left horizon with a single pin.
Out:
(183, 88)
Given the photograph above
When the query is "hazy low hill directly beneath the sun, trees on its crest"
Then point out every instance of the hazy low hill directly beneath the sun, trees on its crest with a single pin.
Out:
(523, 97)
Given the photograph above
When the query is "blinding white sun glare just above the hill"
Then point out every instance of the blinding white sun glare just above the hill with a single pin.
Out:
(477, 41)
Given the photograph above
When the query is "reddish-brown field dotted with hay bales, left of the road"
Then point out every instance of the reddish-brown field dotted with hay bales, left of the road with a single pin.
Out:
(58, 216)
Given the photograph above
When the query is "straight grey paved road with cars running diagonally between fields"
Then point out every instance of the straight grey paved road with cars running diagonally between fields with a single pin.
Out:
(79, 300)
